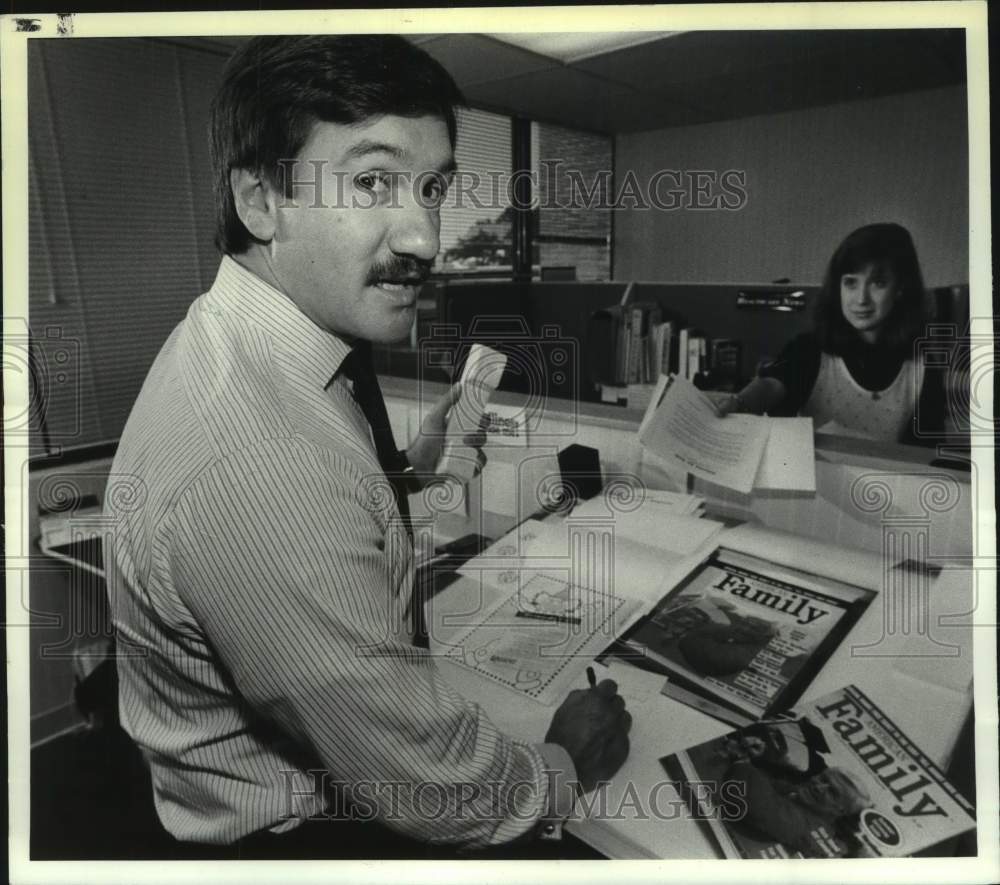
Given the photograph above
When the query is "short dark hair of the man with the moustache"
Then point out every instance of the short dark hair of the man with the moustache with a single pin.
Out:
(275, 89)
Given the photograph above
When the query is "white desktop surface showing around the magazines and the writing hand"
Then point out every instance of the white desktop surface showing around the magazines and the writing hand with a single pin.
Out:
(921, 680)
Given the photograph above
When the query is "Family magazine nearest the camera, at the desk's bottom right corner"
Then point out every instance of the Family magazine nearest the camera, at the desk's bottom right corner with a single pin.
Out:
(835, 778)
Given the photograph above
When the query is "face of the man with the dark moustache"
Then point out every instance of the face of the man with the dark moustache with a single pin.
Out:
(353, 250)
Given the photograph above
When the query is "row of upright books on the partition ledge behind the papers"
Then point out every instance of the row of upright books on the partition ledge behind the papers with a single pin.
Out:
(634, 344)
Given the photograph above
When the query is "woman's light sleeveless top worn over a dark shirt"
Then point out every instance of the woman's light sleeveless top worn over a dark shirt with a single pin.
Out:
(883, 415)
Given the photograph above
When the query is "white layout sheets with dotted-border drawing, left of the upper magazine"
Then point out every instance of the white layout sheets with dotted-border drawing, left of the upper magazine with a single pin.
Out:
(561, 590)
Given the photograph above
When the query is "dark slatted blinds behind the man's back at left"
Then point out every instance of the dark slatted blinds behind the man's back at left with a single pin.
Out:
(121, 217)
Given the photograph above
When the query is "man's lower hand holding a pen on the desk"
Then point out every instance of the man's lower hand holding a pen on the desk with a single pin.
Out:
(592, 725)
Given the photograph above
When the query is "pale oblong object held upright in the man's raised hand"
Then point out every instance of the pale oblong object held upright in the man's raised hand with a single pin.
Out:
(480, 378)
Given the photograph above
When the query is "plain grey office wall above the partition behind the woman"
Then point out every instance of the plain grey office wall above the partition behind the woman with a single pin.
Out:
(812, 176)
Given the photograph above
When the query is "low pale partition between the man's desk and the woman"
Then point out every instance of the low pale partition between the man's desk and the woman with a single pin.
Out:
(864, 488)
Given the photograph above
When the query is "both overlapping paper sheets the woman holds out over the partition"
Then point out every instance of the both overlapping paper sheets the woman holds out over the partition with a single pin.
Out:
(741, 452)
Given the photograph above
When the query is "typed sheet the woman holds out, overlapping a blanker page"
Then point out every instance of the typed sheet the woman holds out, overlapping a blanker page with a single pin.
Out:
(686, 431)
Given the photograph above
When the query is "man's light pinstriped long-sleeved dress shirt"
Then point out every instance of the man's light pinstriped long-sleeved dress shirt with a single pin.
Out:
(260, 580)
